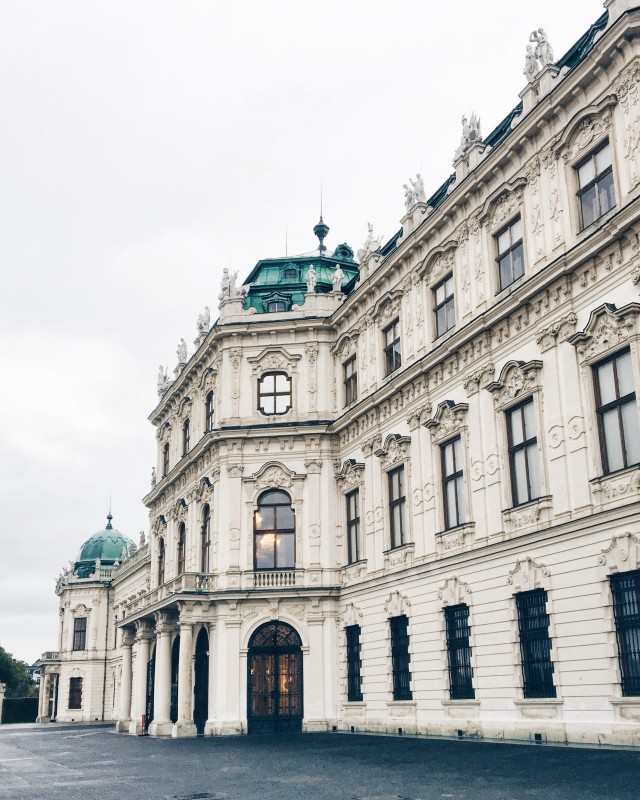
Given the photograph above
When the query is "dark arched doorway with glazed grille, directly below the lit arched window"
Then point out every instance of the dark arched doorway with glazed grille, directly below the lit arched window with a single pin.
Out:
(275, 680)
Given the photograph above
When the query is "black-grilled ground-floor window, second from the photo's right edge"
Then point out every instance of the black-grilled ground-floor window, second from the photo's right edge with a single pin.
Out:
(535, 644)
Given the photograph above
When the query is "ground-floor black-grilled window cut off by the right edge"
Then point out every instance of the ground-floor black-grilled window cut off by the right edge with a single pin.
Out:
(625, 588)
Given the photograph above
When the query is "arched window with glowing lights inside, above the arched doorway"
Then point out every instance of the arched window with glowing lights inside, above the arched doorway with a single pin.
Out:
(274, 532)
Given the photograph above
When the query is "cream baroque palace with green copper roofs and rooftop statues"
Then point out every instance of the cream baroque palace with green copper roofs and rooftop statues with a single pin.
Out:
(400, 493)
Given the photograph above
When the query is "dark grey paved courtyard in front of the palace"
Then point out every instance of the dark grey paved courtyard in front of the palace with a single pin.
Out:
(60, 762)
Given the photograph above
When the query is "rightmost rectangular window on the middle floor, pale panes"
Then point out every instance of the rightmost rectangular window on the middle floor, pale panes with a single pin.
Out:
(617, 412)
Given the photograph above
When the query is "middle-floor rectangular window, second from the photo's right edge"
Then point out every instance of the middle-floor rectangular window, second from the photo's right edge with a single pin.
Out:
(523, 453)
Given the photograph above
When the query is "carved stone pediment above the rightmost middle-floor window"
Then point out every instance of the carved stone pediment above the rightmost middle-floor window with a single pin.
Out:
(606, 330)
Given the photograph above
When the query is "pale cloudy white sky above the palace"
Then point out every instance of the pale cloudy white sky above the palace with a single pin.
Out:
(144, 146)
